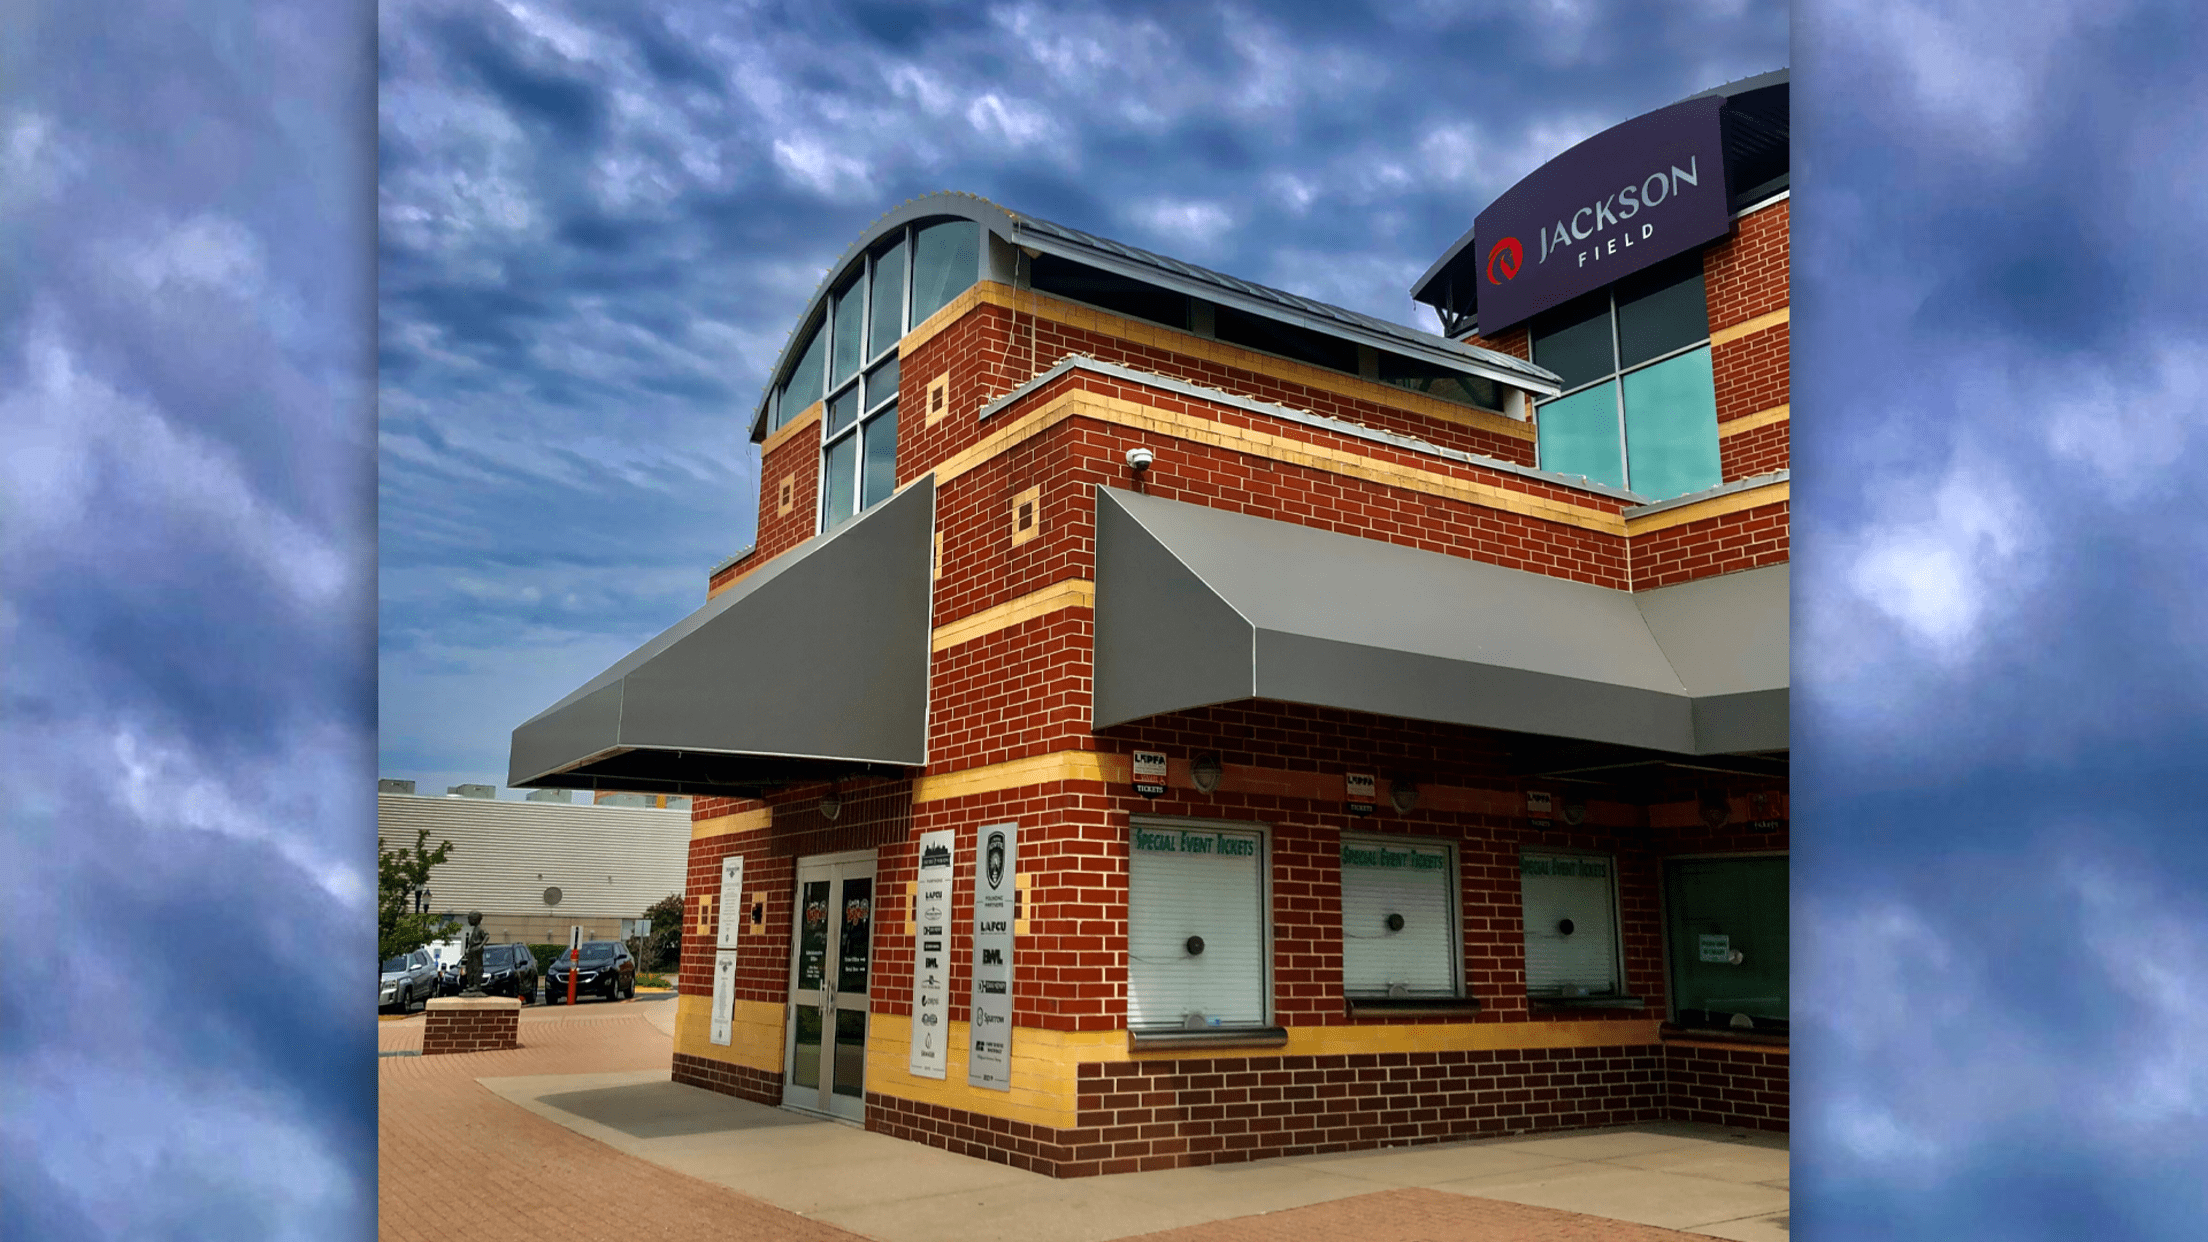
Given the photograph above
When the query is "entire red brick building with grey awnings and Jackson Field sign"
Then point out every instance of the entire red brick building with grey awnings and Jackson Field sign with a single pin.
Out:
(1167, 719)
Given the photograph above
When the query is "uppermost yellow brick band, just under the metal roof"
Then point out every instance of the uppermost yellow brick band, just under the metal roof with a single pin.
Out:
(1189, 346)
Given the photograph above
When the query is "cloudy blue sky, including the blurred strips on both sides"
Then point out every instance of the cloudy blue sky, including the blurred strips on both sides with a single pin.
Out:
(374, 379)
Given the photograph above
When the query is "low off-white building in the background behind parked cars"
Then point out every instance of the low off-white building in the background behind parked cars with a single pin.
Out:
(540, 867)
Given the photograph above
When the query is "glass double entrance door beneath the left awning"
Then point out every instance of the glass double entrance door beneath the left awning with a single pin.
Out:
(825, 1066)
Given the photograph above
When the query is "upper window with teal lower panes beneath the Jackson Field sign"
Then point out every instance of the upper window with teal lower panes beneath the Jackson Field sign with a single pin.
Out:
(1639, 403)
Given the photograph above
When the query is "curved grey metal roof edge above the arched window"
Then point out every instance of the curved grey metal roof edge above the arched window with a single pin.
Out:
(1048, 238)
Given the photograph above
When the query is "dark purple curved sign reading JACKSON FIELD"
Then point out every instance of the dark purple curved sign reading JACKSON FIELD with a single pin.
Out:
(1606, 209)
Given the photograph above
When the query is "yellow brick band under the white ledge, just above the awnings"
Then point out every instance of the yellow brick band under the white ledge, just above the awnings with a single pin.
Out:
(1286, 450)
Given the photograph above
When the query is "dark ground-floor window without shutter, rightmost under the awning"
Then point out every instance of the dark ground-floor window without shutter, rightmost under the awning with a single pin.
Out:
(1726, 923)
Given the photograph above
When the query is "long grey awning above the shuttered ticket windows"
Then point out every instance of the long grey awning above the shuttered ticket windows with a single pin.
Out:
(1202, 607)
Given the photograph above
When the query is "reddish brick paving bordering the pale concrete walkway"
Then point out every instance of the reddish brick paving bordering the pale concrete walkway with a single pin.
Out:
(465, 1164)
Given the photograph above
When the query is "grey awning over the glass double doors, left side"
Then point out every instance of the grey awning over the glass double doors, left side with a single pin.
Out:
(811, 669)
